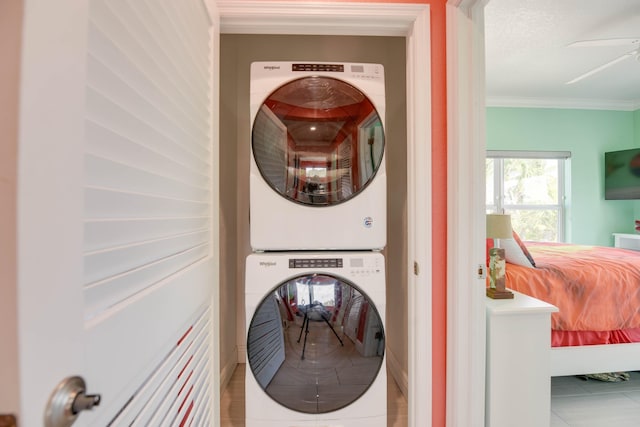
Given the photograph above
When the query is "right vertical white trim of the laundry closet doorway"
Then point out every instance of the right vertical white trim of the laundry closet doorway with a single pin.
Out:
(419, 223)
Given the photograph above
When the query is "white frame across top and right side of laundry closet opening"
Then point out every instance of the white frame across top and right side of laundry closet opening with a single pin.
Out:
(378, 19)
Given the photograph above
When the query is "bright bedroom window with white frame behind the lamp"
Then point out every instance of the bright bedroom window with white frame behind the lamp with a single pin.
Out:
(529, 185)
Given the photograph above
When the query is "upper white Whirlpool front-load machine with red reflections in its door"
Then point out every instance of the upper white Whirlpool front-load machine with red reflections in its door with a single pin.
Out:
(317, 175)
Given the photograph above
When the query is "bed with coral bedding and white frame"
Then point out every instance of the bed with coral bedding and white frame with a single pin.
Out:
(597, 292)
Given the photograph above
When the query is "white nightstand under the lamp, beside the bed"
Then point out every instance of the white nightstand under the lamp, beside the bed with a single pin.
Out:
(518, 377)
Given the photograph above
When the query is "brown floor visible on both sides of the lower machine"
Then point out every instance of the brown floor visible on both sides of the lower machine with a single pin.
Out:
(232, 402)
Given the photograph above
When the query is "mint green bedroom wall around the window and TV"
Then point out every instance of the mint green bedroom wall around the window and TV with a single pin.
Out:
(587, 134)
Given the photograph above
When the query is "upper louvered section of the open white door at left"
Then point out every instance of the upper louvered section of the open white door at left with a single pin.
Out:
(148, 91)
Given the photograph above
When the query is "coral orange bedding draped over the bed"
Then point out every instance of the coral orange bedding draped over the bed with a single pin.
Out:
(596, 289)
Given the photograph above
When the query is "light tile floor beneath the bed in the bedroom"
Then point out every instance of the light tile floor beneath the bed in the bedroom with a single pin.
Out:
(579, 403)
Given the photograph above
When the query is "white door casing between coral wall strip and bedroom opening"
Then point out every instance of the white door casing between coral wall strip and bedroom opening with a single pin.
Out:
(466, 324)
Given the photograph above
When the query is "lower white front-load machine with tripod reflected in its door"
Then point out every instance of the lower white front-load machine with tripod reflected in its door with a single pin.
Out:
(315, 340)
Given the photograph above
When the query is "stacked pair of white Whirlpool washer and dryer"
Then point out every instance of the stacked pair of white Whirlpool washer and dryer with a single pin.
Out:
(315, 283)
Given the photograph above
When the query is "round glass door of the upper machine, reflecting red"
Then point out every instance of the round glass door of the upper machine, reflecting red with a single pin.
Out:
(318, 141)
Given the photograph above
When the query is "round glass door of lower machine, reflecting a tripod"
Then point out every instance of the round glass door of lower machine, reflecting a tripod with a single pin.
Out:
(315, 344)
